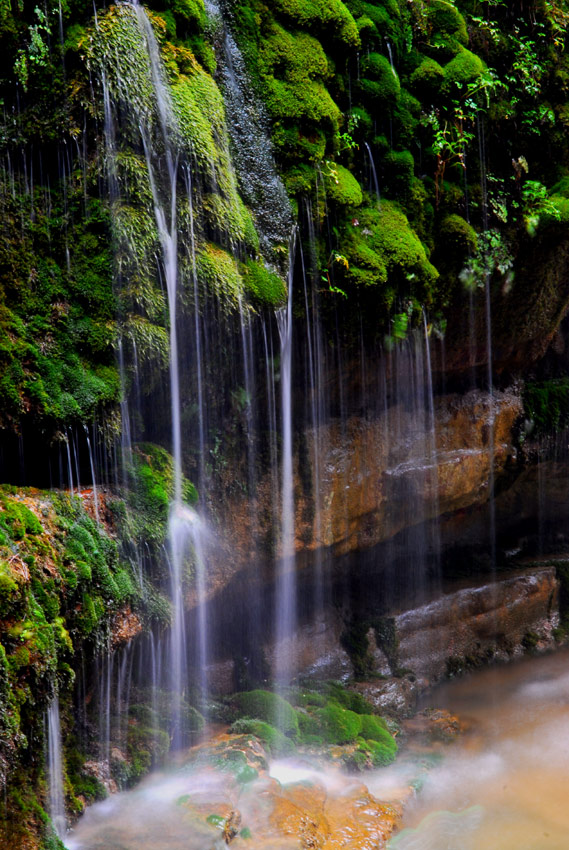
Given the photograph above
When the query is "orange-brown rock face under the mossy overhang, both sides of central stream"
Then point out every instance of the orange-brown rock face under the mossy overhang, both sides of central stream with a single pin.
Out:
(375, 477)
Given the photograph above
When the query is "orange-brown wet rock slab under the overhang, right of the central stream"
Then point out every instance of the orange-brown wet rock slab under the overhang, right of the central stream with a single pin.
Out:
(381, 476)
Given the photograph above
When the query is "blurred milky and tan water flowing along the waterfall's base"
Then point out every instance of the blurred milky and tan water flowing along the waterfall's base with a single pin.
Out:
(504, 785)
